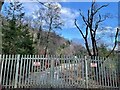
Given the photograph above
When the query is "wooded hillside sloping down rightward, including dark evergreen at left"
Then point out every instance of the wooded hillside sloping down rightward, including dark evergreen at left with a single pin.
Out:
(18, 37)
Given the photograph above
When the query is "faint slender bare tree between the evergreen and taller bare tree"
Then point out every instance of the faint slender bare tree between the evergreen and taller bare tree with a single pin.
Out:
(39, 24)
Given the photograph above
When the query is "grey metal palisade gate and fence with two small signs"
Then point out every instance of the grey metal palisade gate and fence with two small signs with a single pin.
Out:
(36, 71)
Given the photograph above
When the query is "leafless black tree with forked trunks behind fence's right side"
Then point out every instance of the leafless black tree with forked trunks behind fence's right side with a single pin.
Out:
(92, 23)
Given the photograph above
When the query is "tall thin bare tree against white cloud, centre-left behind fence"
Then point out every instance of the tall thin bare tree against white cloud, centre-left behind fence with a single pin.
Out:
(53, 21)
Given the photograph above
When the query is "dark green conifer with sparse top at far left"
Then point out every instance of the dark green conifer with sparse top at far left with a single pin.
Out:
(16, 37)
